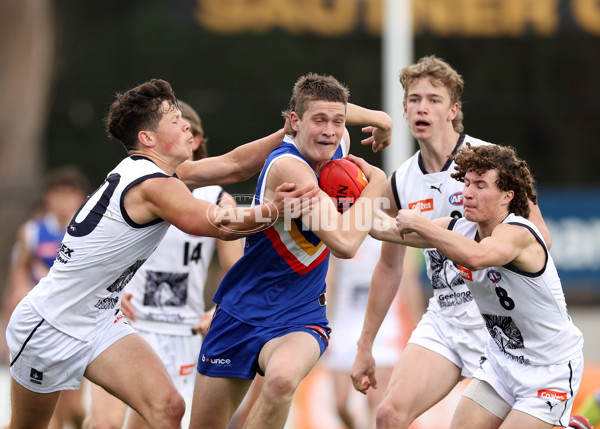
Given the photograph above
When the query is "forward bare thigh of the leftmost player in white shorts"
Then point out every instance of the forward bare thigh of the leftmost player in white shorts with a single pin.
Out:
(131, 370)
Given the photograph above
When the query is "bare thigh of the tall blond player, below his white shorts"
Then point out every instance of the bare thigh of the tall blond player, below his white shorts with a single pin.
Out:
(430, 377)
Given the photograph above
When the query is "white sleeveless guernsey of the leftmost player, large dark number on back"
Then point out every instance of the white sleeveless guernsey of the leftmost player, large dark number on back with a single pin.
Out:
(100, 252)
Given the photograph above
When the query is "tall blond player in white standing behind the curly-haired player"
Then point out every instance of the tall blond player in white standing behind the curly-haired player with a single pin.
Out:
(450, 338)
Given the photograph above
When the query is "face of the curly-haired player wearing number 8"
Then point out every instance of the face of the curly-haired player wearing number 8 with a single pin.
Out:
(482, 200)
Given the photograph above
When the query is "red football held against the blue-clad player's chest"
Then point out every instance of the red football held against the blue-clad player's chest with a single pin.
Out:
(343, 181)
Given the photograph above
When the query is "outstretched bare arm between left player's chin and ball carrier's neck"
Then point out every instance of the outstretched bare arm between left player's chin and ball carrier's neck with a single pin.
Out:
(235, 166)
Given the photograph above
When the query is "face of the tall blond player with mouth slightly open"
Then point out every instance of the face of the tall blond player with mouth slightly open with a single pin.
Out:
(428, 109)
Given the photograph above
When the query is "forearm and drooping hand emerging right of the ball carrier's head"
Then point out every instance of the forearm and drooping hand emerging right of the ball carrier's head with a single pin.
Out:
(375, 122)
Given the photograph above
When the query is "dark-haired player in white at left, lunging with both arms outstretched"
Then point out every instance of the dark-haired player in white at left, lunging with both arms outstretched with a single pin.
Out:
(70, 324)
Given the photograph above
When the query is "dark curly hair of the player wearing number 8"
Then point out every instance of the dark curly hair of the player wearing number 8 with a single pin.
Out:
(513, 173)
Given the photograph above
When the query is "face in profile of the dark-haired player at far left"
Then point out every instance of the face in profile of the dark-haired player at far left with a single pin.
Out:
(173, 135)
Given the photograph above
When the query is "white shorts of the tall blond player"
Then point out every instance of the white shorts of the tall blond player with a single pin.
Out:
(463, 347)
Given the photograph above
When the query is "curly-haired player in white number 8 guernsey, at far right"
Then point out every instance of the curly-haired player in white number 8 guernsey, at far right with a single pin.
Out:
(533, 360)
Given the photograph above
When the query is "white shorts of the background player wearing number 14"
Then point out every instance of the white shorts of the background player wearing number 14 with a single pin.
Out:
(179, 354)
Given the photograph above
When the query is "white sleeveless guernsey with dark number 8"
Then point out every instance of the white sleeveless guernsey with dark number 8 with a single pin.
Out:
(525, 313)
